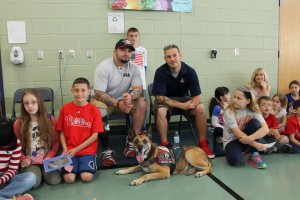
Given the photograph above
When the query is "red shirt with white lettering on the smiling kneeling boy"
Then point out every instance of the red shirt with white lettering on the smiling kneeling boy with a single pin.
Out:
(78, 124)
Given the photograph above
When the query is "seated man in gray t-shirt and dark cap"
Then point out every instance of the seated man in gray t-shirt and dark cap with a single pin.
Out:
(112, 80)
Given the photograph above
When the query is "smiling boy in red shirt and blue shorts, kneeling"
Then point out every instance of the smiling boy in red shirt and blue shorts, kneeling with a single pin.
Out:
(78, 125)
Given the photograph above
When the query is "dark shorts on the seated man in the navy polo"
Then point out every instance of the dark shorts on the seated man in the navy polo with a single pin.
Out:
(172, 110)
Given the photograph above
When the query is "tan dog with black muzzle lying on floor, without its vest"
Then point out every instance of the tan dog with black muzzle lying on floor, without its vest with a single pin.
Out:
(192, 160)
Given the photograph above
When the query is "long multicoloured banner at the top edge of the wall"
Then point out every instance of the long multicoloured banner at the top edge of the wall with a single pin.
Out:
(166, 5)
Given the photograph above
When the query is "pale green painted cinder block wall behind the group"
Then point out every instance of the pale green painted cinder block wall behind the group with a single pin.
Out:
(252, 26)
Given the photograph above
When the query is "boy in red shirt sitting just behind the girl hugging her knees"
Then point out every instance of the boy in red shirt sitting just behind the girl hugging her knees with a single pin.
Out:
(282, 142)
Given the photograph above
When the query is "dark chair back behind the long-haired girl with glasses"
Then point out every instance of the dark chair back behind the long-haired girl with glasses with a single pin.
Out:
(46, 93)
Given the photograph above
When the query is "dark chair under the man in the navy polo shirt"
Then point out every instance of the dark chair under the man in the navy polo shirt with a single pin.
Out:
(174, 113)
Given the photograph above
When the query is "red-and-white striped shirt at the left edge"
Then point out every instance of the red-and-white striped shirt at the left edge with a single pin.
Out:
(9, 162)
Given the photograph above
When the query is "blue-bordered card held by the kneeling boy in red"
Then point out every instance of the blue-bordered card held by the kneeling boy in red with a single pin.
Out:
(57, 162)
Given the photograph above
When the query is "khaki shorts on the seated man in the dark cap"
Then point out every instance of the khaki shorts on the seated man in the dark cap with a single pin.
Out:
(111, 109)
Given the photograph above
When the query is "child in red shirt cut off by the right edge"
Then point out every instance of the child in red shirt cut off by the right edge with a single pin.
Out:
(292, 127)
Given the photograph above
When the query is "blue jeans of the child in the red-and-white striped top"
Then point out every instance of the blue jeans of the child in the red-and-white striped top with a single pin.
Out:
(18, 184)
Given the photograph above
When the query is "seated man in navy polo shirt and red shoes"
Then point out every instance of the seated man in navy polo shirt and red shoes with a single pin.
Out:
(176, 87)
